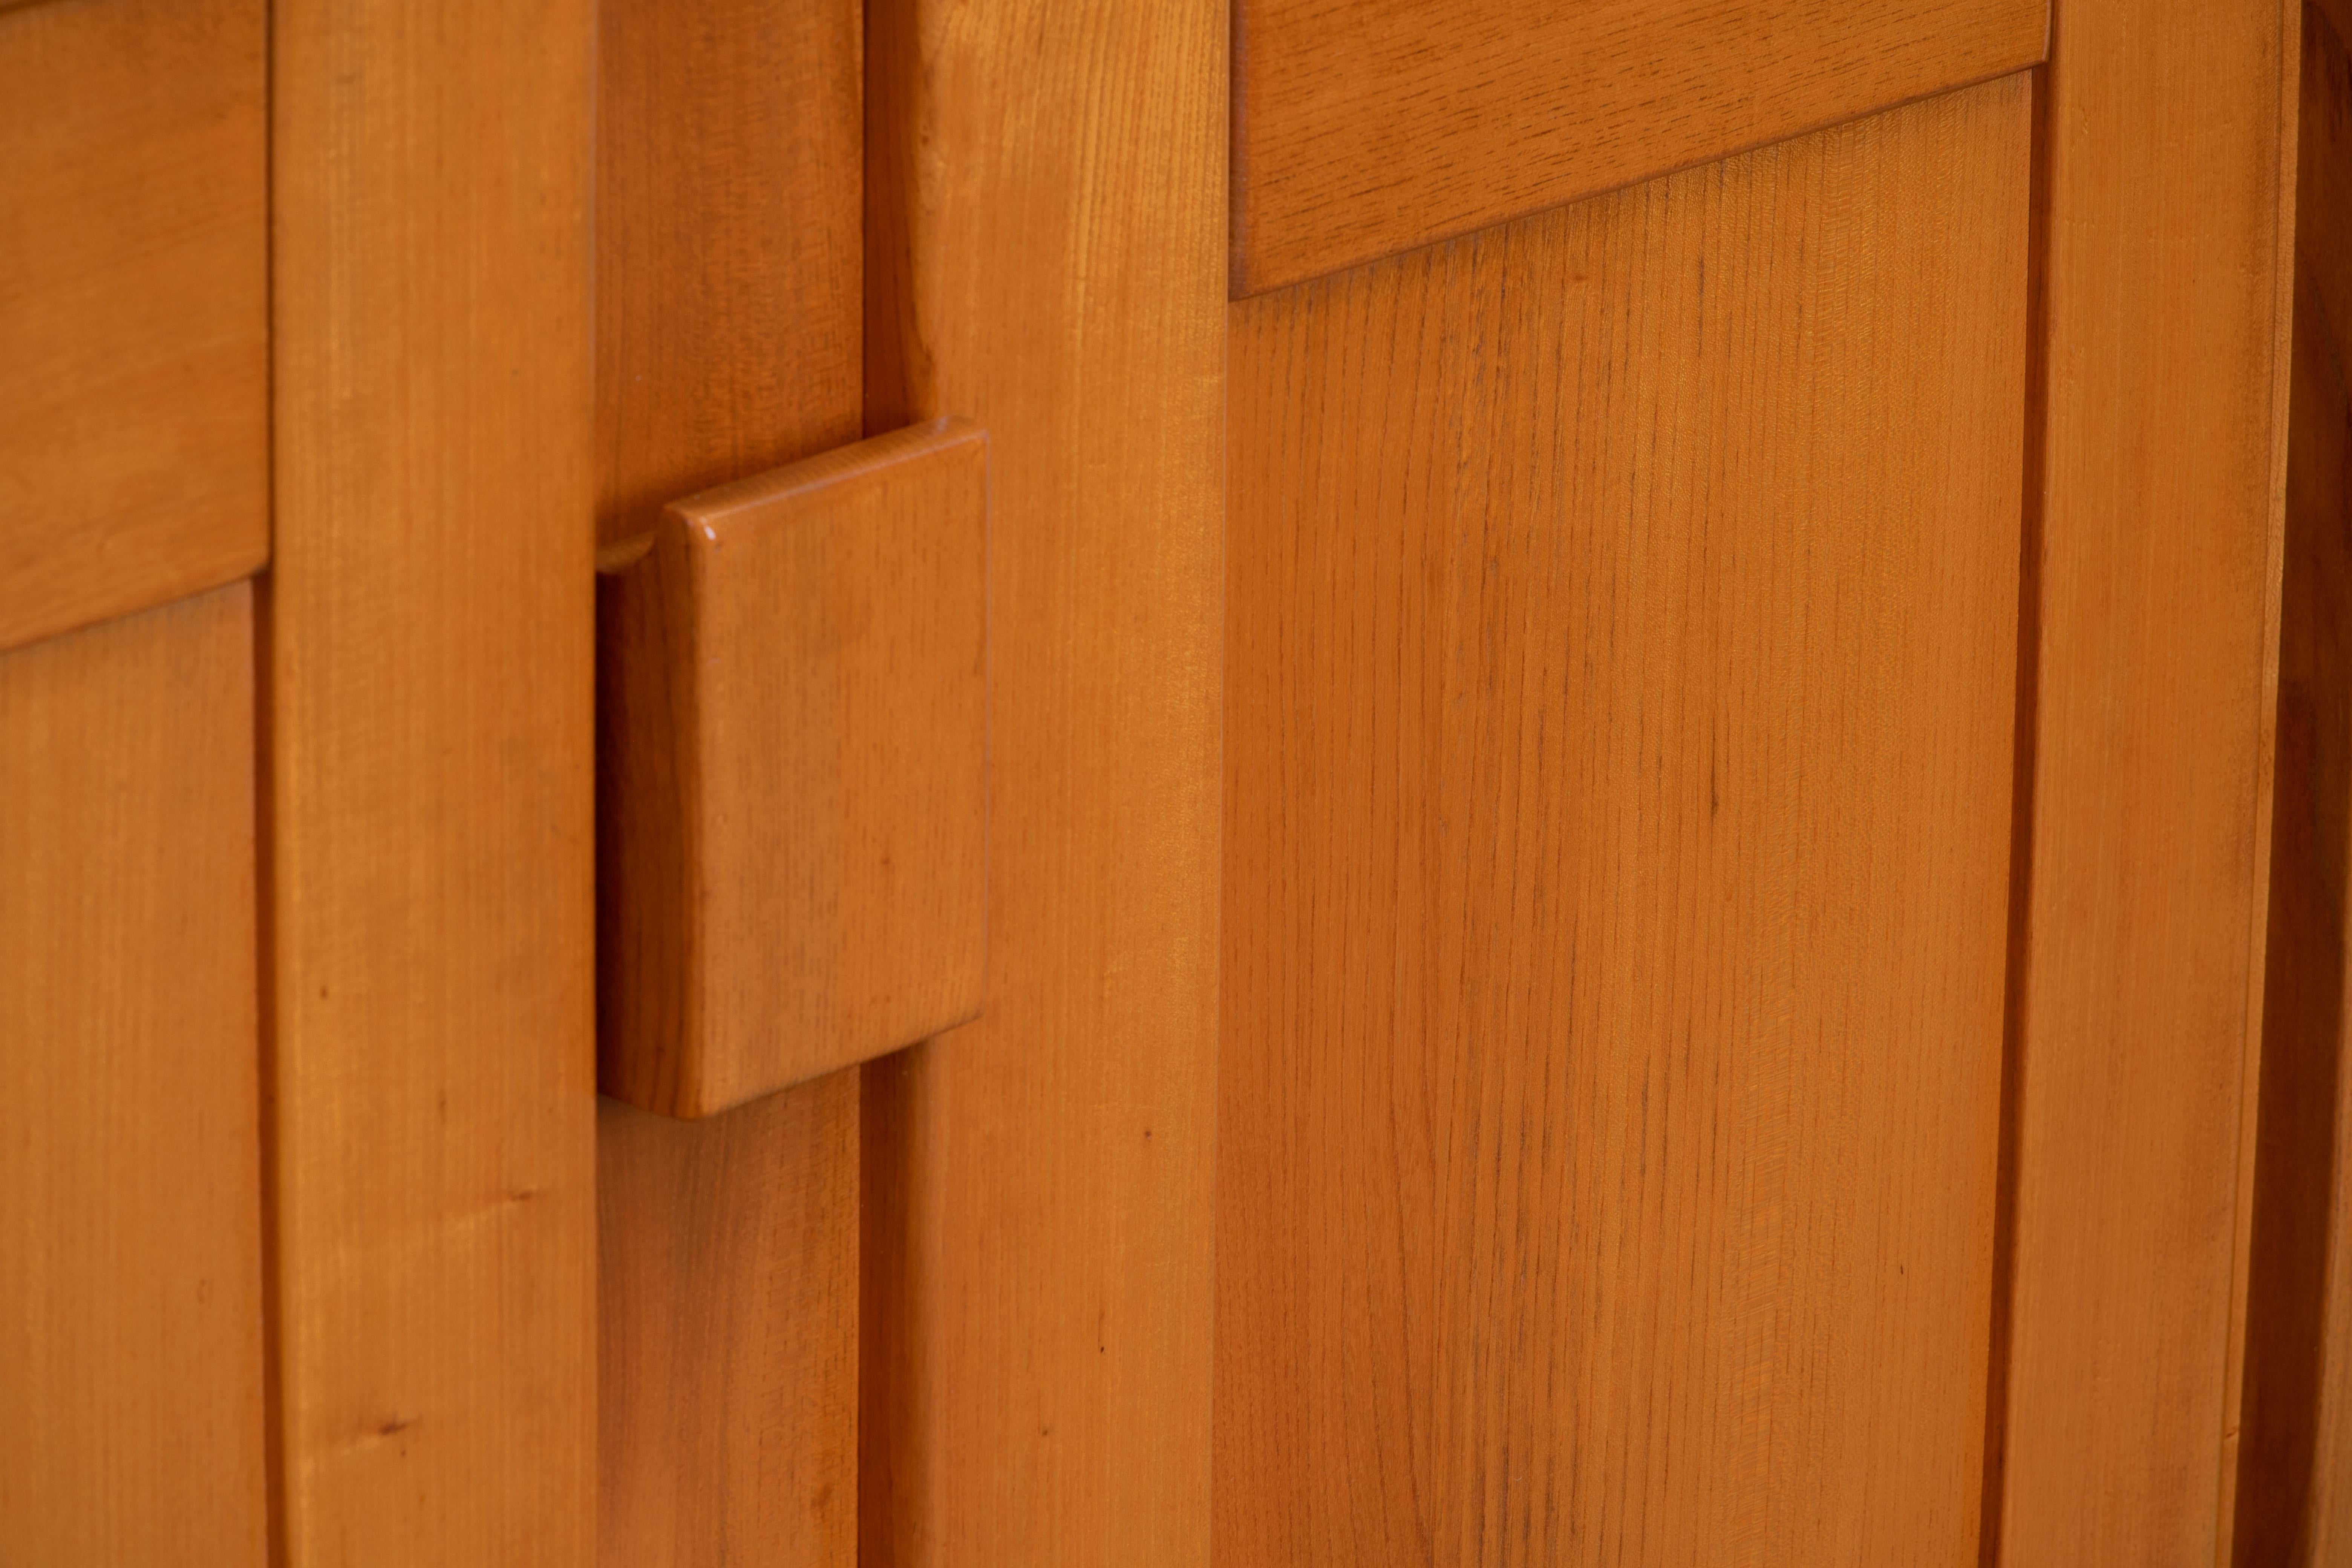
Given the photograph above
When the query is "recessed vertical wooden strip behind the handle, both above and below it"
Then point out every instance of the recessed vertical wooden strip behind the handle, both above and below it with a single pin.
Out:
(730, 262)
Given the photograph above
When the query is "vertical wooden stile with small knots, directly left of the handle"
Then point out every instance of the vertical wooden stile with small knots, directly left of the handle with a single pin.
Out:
(432, 763)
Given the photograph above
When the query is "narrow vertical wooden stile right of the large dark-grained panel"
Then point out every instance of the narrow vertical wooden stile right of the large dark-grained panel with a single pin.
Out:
(2163, 448)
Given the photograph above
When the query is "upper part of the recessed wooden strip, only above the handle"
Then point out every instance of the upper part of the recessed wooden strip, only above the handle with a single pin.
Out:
(730, 250)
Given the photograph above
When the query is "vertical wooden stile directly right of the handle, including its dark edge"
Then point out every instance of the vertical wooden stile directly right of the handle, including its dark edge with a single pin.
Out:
(1048, 260)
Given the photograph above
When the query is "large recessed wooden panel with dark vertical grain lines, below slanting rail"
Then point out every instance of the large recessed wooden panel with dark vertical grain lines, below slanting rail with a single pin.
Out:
(1622, 624)
